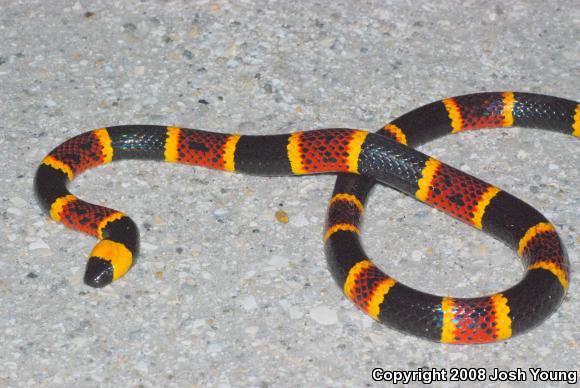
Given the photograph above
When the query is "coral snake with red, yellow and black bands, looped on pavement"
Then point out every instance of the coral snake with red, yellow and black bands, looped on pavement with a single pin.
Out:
(386, 157)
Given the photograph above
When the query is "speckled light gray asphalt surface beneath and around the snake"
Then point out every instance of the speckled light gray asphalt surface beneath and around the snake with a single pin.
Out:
(224, 294)
